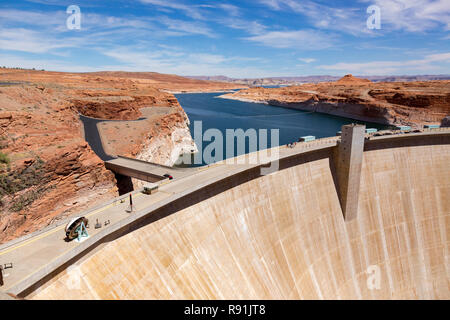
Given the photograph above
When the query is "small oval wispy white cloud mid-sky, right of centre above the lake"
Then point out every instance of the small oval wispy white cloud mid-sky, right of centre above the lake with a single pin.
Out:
(301, 39)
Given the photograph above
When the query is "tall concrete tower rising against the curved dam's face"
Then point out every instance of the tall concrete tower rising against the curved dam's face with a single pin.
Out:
(348, 166)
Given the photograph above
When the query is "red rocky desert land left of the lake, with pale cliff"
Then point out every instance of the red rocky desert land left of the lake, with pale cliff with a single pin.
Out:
(47, 169)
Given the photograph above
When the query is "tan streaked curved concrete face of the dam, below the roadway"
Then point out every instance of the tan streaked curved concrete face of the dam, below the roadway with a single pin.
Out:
(283, 236)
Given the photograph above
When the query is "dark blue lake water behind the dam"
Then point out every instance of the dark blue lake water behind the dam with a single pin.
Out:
(225, 114)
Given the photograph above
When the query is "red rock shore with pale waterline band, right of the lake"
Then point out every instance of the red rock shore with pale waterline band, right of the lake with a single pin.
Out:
(393, 103)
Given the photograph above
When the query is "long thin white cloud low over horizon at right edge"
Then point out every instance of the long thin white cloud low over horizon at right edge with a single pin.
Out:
(430, 63)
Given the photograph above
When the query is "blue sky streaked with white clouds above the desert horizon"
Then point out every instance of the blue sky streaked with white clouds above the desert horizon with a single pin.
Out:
(246, 38)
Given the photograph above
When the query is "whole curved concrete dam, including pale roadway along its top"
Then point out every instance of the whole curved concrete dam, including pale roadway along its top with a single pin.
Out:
(225, 231)
